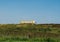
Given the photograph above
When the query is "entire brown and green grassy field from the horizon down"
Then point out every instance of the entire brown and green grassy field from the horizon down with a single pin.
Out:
(30, 33)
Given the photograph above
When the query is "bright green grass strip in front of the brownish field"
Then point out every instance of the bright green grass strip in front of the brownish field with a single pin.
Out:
(17, 39)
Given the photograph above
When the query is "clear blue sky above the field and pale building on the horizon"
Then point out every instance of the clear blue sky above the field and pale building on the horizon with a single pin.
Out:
(42, 11)
